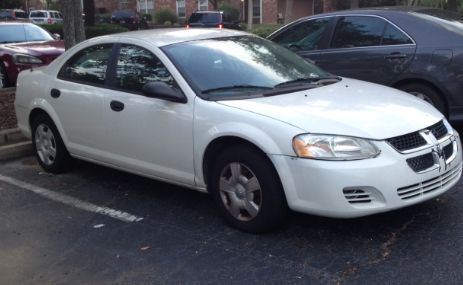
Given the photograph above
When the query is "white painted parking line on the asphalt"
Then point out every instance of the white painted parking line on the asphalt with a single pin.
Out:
(71, 201)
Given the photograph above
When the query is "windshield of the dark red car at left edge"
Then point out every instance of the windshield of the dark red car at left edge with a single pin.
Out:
(22, 33)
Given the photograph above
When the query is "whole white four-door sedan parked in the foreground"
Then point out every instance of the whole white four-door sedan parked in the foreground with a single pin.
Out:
(246, 120)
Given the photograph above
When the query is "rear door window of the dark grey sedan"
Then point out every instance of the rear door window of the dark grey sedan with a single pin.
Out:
(358, 31)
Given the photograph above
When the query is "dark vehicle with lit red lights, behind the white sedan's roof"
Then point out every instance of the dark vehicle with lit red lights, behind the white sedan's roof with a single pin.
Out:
(212, 19)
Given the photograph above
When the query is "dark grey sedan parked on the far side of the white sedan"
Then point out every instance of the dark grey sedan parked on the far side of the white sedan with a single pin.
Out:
(418, 50)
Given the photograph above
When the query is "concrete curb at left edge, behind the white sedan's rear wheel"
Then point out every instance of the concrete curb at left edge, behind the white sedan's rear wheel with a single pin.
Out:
(13, 144)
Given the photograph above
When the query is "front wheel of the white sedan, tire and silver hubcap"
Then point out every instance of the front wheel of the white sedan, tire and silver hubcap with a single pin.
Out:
(247, 190)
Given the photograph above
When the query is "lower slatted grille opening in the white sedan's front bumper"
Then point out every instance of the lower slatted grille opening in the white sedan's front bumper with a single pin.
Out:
(430, 185)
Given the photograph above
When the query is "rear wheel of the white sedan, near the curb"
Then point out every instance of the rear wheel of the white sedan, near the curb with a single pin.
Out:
(49, 148)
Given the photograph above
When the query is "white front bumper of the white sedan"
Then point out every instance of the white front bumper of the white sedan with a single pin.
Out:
(347, 189)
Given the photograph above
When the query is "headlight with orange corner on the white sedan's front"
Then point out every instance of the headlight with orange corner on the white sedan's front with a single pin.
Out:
(332, 147)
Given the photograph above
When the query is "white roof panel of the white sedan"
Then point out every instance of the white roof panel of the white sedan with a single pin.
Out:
(163, 37)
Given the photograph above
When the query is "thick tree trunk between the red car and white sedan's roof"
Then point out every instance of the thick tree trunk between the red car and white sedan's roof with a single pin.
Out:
(73, 26)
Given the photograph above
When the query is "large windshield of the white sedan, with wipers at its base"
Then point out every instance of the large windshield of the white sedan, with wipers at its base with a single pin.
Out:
(226, 68)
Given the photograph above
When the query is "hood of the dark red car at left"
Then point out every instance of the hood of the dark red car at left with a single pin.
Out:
(37, 48)
